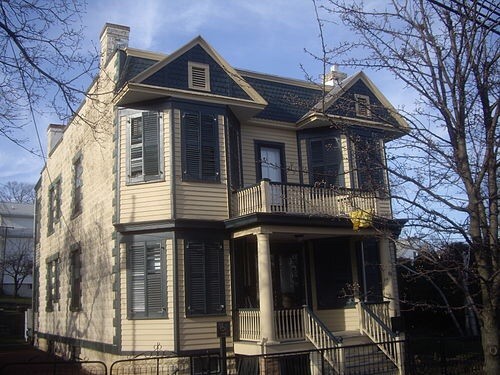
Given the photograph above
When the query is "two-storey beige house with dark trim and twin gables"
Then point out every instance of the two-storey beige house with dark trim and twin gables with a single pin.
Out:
(191, 193)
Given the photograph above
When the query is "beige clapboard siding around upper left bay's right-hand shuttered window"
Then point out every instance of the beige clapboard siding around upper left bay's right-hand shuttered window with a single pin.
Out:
(199, 200)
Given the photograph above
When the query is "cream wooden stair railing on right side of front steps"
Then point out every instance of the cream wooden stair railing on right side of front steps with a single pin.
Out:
(376, 328)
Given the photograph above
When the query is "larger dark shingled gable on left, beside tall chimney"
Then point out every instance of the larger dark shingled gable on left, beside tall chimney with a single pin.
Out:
(170, 77)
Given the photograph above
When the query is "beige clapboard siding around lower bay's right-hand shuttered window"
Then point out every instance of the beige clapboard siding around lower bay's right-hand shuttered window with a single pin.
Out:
(200, 333)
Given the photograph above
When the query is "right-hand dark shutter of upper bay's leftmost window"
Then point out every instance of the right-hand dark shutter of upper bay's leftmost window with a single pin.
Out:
(151, 145)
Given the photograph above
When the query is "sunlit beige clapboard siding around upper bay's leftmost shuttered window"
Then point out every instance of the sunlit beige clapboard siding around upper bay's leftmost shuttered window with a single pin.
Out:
(145, 201)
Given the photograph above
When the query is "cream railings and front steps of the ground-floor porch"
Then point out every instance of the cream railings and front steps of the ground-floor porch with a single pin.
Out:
(339, 349)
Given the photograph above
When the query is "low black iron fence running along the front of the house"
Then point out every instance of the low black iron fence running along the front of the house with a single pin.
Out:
(429, 356)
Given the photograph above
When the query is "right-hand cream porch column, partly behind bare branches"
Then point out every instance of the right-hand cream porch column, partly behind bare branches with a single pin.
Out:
(389, 275)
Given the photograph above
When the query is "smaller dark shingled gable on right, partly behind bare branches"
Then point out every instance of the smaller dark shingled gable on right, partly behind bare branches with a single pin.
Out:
(340, 103)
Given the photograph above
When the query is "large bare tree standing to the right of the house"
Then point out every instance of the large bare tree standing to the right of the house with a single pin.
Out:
(444, 172)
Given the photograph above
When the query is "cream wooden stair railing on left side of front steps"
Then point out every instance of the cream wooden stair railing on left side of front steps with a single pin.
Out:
(322, 338)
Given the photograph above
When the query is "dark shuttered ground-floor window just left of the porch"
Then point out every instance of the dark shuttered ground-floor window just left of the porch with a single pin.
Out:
(204, 278)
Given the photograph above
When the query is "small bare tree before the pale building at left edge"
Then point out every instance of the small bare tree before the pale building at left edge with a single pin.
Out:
(18, 262)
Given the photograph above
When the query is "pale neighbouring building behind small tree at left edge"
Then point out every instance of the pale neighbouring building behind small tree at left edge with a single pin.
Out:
(16, 237)
